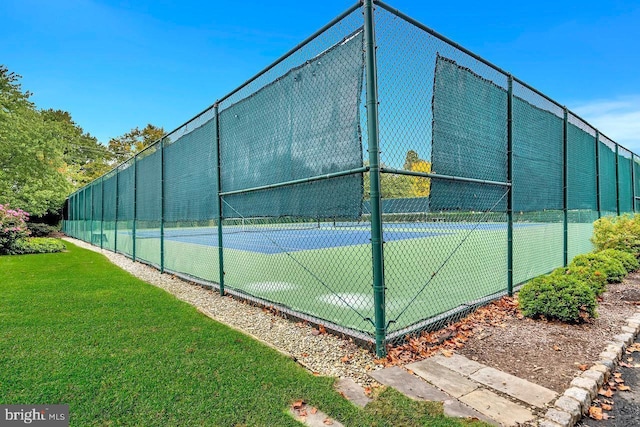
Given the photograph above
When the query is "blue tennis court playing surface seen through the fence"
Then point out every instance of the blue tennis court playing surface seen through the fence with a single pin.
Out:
(267, 239)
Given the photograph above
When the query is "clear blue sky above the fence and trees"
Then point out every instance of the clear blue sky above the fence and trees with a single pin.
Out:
(115, 65)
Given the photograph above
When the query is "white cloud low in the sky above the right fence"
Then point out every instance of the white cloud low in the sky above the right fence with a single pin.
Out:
(617, 118)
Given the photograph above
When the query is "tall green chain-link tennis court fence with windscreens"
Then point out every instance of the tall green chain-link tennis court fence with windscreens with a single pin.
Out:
(280, 191)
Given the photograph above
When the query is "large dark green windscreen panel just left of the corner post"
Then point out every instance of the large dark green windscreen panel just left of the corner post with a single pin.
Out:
(304, 124)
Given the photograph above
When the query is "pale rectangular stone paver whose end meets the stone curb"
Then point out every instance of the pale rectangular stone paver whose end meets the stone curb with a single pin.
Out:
(523, 390)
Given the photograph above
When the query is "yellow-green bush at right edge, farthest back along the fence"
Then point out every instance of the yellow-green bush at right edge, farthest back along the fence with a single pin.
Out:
(621, 233)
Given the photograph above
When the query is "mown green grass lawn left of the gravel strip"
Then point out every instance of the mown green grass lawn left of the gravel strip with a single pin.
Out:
(77, 330)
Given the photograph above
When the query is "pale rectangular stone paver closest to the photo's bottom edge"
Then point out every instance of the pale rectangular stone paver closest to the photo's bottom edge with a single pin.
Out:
(500, 409)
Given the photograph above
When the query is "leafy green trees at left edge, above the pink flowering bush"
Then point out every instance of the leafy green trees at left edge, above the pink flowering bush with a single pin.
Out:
(44, 154)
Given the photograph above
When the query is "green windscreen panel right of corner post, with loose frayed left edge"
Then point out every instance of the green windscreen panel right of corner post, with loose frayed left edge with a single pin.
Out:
(469, 139)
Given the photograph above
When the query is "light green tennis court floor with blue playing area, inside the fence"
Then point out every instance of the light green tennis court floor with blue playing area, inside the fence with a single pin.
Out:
(450, 266)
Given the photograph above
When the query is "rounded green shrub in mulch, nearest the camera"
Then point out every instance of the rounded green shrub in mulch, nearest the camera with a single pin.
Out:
(558, 296)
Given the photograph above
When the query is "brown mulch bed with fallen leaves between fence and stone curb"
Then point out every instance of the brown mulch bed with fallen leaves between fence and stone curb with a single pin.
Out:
(546, 352)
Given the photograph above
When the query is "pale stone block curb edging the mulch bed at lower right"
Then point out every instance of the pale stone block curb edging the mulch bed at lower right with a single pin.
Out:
(569, 408)
